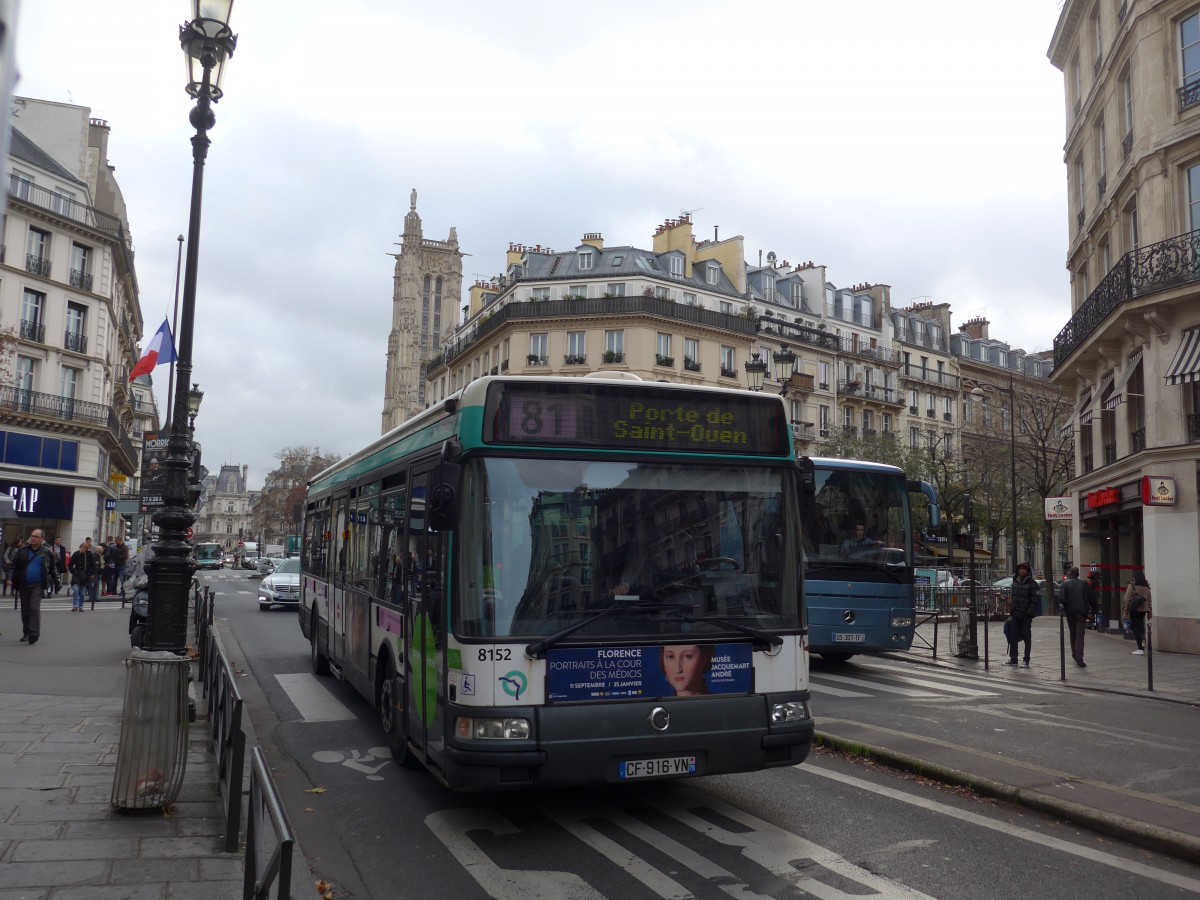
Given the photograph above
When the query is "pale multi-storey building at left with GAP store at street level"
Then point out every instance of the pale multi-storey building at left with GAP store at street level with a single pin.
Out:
(69, 293)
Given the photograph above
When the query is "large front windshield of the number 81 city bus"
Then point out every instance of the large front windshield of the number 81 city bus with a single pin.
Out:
(668, 549)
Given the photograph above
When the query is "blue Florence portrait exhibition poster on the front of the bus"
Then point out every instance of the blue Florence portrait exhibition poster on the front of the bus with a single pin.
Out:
(679, 670)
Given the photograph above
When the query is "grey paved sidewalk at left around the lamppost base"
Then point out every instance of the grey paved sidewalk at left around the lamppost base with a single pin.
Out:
(61, 721)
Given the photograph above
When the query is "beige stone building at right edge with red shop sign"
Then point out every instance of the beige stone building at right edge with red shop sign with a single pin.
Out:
(1130, 355)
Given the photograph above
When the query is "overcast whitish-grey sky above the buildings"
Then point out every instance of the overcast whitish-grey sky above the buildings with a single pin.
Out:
(915, 145)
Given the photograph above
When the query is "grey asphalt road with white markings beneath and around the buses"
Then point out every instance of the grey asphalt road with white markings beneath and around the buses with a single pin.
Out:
(833, 827)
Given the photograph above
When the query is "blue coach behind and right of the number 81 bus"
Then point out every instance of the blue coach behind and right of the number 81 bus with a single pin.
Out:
(859, 557)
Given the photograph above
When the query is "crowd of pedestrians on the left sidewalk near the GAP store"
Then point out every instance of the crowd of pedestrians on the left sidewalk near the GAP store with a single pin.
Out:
(34, 571)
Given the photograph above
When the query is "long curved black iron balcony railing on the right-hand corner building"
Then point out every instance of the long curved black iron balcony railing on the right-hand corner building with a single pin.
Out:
(1141, 273)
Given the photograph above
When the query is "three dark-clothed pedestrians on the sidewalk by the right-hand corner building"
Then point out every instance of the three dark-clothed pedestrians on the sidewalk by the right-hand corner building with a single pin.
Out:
(1079, 602)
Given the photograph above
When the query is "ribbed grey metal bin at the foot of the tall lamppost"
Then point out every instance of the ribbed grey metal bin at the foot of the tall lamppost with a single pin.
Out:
(152, 755)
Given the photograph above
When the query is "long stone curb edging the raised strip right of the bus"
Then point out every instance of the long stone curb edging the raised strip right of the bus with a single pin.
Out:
(1177, 844)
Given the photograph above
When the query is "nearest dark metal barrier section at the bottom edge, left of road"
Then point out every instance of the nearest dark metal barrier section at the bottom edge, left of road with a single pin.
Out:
(268, 853)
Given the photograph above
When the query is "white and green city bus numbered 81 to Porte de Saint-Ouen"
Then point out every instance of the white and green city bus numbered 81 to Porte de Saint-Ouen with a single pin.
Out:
(560, 581)
